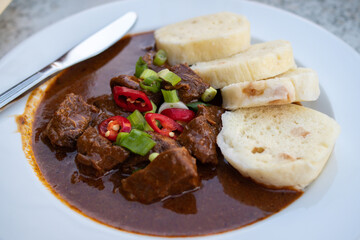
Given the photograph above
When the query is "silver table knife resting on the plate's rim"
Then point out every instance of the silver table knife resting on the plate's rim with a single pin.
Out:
(90, 47)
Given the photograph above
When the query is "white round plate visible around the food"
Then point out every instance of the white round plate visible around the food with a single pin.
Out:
(330, 207)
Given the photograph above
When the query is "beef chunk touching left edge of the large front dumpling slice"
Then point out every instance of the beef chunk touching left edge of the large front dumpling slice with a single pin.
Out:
(199, 137)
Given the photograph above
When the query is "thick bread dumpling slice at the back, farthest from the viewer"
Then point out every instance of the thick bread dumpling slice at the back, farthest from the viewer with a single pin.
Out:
(204, 38)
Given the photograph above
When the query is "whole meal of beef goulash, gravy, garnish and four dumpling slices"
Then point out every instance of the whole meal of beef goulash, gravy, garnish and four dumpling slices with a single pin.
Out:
(188, 130)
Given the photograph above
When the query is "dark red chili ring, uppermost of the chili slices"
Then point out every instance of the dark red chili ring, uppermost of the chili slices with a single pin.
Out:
(131, 100)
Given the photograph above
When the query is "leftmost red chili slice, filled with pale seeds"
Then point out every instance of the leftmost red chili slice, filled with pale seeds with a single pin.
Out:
(111, 127)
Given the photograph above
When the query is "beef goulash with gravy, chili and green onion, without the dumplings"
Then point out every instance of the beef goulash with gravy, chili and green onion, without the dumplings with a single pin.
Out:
(129, 140)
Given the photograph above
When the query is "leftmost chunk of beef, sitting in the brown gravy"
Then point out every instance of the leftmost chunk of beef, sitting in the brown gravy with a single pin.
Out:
(69, 121)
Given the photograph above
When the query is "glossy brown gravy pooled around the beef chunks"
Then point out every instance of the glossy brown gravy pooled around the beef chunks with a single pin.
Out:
(225, 201)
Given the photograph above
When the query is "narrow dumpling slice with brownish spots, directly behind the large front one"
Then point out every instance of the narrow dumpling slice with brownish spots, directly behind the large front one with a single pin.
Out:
(296, 85)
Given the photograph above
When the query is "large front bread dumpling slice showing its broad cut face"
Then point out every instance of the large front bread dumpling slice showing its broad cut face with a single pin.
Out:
(278, 146)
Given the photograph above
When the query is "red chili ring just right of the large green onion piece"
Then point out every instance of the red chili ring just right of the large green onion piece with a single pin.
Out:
(168, 125)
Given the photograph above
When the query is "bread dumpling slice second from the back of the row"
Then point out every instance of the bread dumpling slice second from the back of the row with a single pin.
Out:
(260, 61)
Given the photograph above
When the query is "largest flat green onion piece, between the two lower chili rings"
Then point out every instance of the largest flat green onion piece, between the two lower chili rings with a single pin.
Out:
(138, 142)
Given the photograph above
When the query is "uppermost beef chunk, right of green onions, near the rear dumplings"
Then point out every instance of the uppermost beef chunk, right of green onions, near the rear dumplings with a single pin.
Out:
(191, 86)
